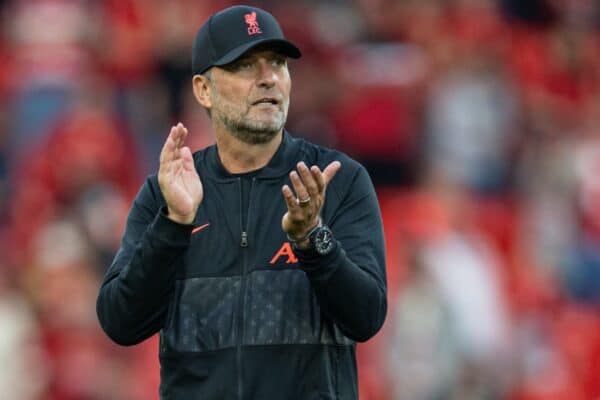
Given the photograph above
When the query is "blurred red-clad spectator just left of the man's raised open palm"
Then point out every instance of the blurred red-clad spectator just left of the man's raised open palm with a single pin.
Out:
(85, 149)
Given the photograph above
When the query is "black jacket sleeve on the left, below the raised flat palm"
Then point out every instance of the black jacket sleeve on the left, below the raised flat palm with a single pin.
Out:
(135, 294)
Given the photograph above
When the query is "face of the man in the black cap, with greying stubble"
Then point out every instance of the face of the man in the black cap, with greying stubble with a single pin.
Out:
(250, 97)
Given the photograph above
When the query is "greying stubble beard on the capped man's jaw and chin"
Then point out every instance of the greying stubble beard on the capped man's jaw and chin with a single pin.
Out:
(244, 127)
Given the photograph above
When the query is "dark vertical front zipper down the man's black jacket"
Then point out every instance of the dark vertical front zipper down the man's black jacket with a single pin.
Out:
(242, 300)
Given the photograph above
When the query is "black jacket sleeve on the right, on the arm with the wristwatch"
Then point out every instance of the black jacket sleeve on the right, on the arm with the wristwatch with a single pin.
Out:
(350, 283)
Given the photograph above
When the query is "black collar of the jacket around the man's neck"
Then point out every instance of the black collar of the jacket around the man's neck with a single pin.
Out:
(284, 159)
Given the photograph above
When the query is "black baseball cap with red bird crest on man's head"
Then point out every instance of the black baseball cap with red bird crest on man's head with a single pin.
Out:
(231, 32)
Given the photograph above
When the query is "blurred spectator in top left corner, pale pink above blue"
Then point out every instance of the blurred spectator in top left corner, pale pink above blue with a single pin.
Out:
(49, 56)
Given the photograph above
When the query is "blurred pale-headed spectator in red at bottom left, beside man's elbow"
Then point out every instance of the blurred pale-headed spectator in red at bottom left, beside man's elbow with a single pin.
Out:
(60, 282)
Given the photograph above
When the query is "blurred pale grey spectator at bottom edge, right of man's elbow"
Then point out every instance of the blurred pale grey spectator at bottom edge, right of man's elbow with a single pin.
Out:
(421, 353)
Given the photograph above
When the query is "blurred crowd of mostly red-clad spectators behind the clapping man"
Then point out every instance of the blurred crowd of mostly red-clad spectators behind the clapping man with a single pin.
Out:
(479, 121)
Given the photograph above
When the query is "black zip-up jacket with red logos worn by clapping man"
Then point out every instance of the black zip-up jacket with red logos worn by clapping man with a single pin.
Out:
(239, 315)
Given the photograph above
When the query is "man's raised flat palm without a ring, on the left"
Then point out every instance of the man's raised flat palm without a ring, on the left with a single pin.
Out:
(177, 177)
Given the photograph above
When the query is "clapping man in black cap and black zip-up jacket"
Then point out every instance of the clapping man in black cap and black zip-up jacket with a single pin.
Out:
(258, 286)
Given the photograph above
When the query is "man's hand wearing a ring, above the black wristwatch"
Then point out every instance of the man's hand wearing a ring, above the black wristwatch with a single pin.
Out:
(304, 203)
